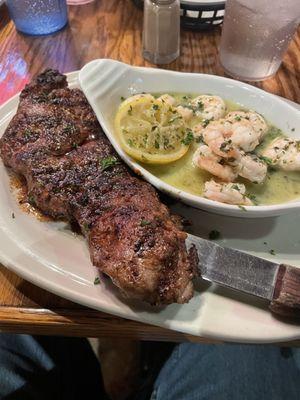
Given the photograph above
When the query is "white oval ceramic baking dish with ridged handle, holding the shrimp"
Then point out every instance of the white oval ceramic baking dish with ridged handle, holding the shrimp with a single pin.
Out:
(105, 81)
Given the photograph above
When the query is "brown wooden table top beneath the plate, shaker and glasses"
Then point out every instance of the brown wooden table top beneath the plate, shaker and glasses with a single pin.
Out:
(110, 29)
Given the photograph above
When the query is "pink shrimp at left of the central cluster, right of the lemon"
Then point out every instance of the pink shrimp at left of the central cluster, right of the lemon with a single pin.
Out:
(218, 137)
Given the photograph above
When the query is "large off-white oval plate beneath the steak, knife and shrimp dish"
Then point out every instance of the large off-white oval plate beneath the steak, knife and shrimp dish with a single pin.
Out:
(50, 256)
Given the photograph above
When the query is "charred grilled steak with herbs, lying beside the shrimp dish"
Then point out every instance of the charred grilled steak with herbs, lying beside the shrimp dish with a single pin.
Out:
(72, 172)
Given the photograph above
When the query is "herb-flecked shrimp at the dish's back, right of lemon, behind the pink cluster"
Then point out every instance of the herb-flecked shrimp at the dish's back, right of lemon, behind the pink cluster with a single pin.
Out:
(208, 107)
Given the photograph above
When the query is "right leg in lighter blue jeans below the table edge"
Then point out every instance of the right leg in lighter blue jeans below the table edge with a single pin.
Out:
(229, 372)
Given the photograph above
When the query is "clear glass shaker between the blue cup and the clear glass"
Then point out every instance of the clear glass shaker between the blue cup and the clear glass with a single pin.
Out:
(161, 34)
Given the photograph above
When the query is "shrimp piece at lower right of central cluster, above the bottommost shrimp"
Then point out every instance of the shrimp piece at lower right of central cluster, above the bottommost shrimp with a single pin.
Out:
(252, 168)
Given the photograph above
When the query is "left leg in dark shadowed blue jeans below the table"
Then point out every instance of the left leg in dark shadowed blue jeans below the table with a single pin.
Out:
(45, 368)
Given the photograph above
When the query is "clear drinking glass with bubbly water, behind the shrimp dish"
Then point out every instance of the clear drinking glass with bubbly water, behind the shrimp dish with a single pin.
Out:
(256, 35)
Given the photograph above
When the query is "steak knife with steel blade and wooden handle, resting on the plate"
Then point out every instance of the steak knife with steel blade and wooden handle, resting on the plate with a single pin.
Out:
(277, 283)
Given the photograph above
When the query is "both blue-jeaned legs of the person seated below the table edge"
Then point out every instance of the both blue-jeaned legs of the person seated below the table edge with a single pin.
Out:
(34, 368)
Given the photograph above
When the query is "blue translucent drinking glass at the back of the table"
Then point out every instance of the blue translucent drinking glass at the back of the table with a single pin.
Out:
(38, 17)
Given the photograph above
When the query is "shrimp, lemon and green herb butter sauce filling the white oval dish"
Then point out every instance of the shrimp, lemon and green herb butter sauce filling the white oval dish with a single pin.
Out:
(216, 149)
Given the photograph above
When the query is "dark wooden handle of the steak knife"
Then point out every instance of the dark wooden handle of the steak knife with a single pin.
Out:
(286, 298)
